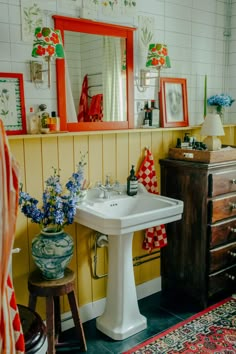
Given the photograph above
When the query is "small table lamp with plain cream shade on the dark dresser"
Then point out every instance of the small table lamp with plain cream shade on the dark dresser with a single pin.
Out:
(212, 127)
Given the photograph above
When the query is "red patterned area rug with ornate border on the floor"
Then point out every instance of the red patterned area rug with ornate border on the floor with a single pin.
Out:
(210, 331)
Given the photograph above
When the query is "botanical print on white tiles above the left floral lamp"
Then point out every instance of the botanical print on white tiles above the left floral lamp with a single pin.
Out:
(31, 17)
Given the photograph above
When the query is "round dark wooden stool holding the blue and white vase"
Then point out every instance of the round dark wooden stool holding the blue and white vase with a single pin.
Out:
(52, 290)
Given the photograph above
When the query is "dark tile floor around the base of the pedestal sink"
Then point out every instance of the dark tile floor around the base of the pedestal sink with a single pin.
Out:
(160, 316)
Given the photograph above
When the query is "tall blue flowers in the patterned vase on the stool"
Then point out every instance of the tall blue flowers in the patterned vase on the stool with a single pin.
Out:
(58, 207)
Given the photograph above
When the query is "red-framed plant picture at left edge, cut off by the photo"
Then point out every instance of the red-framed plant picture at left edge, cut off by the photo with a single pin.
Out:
(12, 103)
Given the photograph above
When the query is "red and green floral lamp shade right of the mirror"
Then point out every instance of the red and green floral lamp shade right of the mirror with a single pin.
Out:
(158, 56)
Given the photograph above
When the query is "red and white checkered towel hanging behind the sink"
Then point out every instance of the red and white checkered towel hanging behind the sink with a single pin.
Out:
(155, 237)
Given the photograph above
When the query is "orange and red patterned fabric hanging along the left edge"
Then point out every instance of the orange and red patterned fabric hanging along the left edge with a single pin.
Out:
(11, 335)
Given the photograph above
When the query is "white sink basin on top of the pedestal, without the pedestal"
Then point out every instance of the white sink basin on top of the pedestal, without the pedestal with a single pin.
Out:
(121, 213)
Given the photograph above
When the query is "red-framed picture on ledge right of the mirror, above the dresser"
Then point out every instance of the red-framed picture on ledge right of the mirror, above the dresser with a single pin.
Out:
(173, 102)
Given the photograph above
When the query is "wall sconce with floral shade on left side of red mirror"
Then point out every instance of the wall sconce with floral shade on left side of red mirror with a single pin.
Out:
(47, 44)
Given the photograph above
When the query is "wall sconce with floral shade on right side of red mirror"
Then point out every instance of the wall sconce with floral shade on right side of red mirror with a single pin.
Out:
(157, 58)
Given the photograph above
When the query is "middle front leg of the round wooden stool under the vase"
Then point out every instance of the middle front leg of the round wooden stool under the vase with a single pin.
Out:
(50, 324)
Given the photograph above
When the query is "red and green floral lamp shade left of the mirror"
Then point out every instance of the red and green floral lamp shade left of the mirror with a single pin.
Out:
(47, 43)
